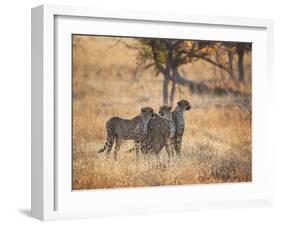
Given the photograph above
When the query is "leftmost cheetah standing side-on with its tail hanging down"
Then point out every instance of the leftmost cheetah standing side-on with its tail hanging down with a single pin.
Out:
(119, 129)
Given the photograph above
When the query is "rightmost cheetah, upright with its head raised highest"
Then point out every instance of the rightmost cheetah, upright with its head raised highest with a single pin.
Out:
(178, 117)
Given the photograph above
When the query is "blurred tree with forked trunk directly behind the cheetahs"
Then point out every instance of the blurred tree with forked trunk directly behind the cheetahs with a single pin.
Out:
(167, 55)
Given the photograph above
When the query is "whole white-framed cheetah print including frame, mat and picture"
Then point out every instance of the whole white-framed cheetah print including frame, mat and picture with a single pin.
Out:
(137, 112)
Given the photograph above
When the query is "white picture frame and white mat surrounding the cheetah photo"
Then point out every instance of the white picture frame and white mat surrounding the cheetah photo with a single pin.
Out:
(52, 198)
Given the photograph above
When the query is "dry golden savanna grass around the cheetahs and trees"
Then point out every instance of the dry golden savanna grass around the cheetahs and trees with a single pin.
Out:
(217, 140)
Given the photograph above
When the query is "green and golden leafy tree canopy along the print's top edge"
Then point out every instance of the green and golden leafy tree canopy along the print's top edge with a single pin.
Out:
(168, 54)
